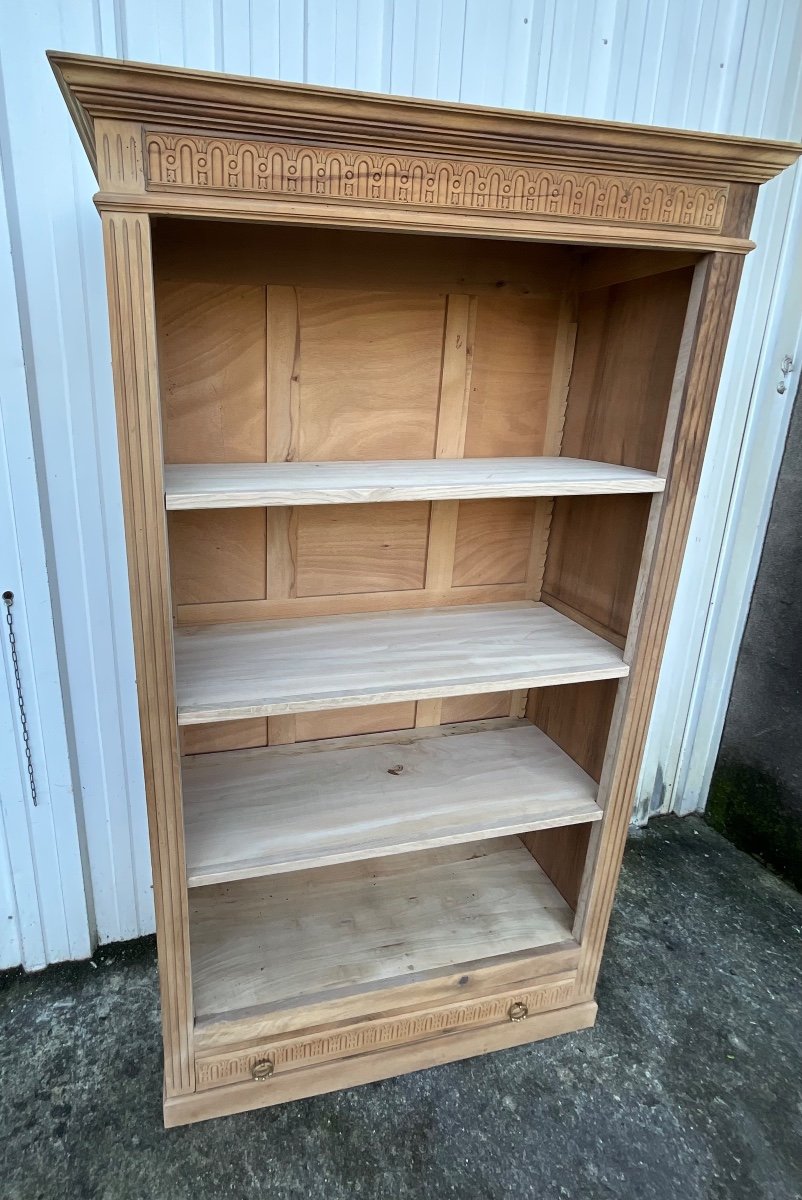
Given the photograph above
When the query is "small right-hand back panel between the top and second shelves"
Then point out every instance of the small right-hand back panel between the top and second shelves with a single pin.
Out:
(494, 539)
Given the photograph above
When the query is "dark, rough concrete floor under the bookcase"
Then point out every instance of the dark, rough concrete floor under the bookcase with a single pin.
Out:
(690, 1087)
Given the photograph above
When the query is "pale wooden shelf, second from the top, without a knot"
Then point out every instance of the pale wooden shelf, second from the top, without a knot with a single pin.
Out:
(267, 669)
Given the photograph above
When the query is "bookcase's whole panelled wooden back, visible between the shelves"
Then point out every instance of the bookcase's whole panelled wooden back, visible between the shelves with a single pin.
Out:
(312, 345)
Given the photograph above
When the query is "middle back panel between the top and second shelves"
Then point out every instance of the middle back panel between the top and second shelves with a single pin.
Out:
(362, 548)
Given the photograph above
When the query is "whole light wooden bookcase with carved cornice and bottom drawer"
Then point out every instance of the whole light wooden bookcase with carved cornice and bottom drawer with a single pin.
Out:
(412, 403)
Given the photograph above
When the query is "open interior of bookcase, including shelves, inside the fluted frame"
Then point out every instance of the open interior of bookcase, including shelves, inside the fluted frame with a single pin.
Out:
(320, 617)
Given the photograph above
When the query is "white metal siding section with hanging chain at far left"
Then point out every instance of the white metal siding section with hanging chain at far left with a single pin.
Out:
(44, 910)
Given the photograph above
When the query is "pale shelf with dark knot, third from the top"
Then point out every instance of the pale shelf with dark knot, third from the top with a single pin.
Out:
(277, 809)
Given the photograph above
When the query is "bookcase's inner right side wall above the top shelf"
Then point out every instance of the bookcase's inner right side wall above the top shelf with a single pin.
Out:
(627, 345)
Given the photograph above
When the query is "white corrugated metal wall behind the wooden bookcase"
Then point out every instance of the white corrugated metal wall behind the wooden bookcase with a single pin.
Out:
(76, 868)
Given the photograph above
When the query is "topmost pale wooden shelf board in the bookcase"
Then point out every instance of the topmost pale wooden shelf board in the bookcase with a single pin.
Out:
(267, 484)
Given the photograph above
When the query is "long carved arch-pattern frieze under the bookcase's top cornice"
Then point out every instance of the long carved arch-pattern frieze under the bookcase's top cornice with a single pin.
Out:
(178, 163)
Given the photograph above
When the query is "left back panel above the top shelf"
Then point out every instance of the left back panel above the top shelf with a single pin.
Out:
(212, 356)
